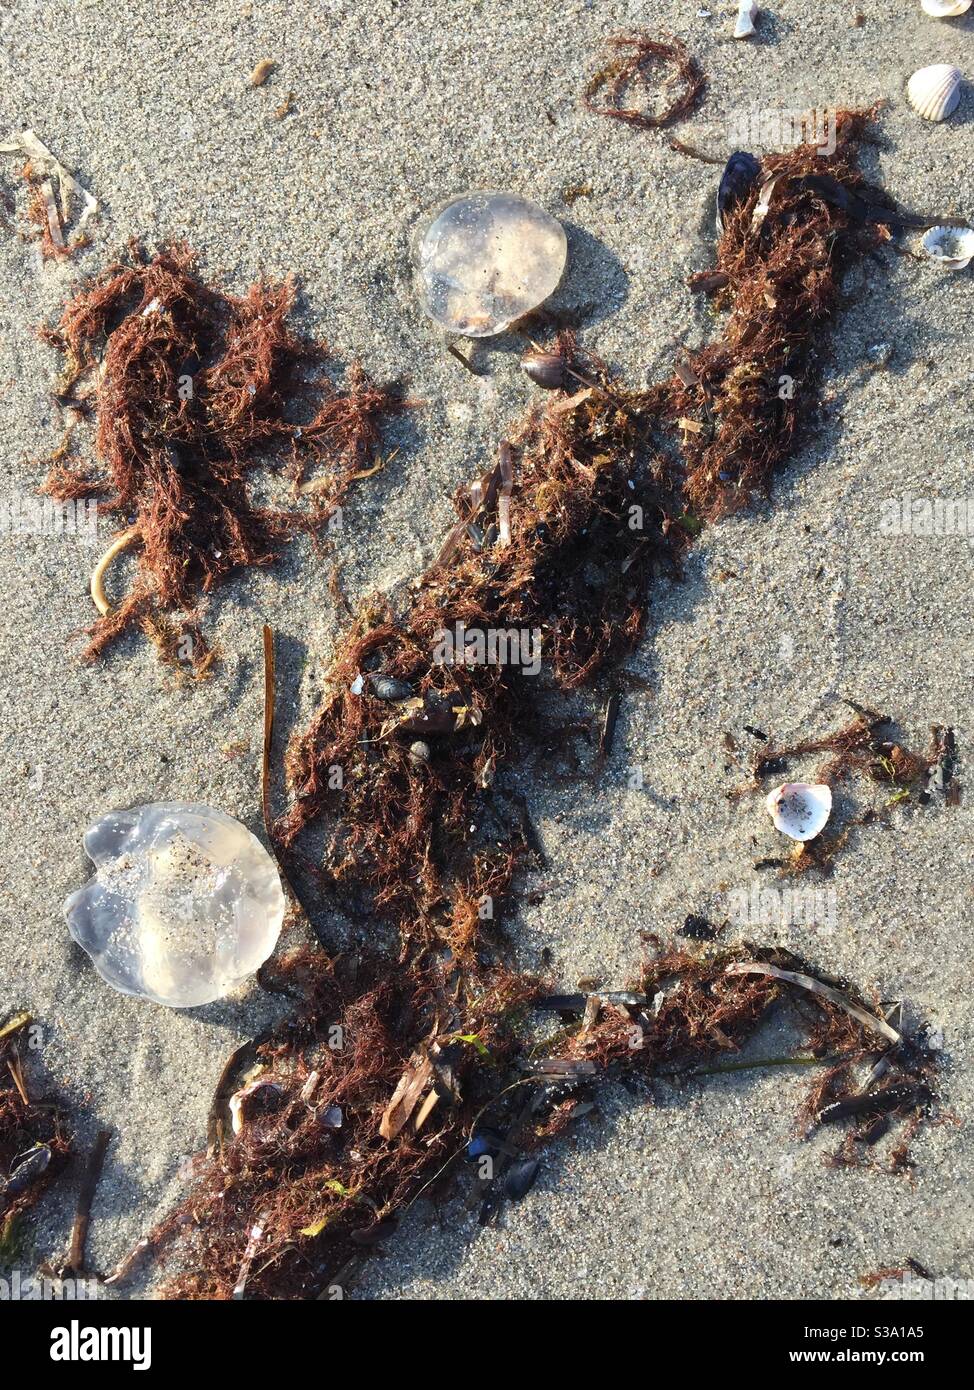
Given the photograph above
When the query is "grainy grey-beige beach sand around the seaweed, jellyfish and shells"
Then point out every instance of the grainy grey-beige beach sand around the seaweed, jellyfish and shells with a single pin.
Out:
(709, 1192)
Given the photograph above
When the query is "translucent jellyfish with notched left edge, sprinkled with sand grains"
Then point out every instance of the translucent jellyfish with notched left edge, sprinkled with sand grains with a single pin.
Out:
(185, 903)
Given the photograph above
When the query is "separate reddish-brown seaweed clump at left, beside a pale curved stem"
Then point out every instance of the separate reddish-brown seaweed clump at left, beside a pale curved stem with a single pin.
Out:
(195, 391)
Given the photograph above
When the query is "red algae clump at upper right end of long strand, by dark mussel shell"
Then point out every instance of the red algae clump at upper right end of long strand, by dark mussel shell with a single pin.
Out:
(779, 283)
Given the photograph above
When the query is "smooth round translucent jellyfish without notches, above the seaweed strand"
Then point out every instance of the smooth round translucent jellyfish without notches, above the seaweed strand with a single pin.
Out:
(486, 261)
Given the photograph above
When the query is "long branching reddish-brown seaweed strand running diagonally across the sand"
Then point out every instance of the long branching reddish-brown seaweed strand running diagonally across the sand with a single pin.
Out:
(544, 541)
